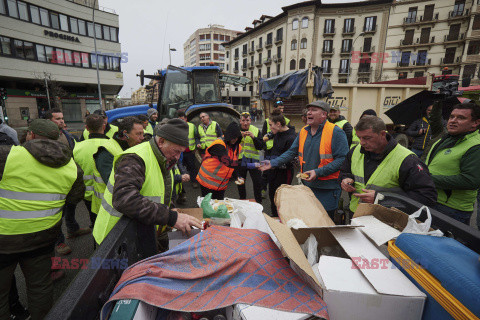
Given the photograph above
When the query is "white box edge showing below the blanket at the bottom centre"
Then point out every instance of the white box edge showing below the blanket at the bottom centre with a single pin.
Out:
(247, 312)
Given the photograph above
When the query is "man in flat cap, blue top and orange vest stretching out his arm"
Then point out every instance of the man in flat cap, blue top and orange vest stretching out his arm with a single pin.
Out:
(321, 147)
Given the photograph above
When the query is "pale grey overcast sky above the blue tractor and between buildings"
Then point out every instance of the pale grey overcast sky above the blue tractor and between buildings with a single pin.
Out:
(147, 27)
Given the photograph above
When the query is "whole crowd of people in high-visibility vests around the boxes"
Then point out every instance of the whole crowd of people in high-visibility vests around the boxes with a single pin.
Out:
(138, 169)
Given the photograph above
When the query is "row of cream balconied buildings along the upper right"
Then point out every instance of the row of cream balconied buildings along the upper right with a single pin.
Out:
(361, 42)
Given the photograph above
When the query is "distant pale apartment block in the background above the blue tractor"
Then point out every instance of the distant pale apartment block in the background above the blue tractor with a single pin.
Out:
(205, 46)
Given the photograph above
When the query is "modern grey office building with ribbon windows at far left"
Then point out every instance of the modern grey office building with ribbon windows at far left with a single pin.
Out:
(48, 58)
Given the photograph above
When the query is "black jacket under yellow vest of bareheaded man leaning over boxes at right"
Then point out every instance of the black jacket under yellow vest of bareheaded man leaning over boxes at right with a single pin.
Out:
(414, 177)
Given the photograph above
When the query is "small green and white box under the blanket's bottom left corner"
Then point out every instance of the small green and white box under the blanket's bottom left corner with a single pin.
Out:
(130, 309)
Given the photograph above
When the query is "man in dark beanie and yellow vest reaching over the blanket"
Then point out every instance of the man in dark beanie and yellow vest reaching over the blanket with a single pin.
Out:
(141, 183)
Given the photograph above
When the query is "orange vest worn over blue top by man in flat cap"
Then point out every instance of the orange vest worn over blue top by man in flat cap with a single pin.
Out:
(325, 150)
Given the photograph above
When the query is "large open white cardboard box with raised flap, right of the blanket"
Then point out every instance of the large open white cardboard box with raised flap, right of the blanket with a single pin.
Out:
(380, 291)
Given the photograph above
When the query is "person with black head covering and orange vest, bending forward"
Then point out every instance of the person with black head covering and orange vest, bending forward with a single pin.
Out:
(221, 159)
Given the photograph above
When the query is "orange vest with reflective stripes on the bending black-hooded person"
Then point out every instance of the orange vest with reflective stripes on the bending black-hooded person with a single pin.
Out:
(213, 174)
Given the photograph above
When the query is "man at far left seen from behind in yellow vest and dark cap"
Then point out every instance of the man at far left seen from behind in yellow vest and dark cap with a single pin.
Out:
(36, 181)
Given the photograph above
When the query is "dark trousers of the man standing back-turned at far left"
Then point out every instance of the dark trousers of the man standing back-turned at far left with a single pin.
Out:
(36, 268)
